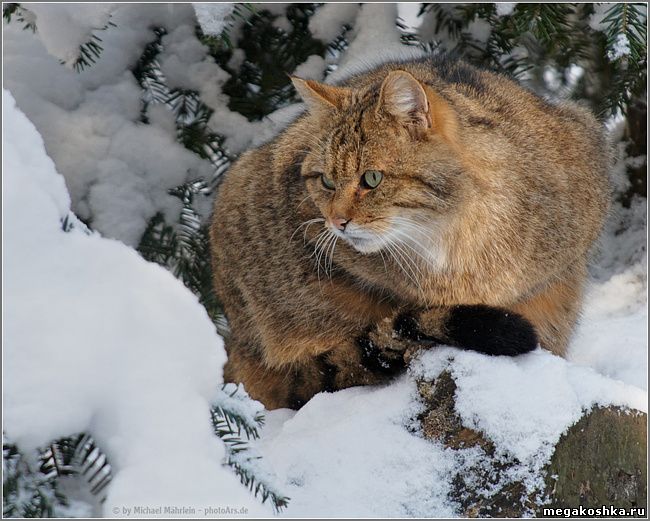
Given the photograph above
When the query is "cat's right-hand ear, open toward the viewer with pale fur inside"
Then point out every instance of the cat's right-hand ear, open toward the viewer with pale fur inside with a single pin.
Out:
(403, 97)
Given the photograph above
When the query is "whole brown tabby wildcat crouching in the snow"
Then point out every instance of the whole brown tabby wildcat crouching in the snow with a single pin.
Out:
(422, 202)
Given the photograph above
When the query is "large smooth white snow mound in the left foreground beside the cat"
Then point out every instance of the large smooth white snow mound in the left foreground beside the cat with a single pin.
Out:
(94, 314)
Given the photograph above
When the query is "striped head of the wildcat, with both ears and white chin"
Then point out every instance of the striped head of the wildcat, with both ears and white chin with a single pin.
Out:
(381, 160)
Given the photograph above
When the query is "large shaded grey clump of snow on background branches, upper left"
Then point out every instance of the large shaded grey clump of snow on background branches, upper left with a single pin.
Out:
(118, 171)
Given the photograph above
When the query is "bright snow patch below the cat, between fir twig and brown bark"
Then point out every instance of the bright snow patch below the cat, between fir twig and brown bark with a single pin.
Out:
(348, 454)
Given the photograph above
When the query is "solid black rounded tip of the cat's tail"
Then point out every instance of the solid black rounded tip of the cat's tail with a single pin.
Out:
(490, 330)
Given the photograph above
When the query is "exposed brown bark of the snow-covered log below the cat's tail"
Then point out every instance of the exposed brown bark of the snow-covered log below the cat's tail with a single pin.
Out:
(599, 461)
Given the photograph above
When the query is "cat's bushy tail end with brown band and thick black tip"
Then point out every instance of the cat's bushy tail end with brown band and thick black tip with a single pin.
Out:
(486, 329)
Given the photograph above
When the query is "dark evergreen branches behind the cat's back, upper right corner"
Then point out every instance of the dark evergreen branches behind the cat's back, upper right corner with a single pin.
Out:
(536, 37)
